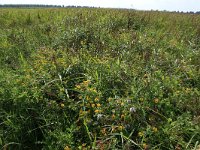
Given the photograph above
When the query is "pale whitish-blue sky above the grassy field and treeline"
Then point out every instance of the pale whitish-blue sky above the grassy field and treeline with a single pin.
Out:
(171, 5)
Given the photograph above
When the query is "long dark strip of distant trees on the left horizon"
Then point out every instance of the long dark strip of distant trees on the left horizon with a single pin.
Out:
(38, 5)
